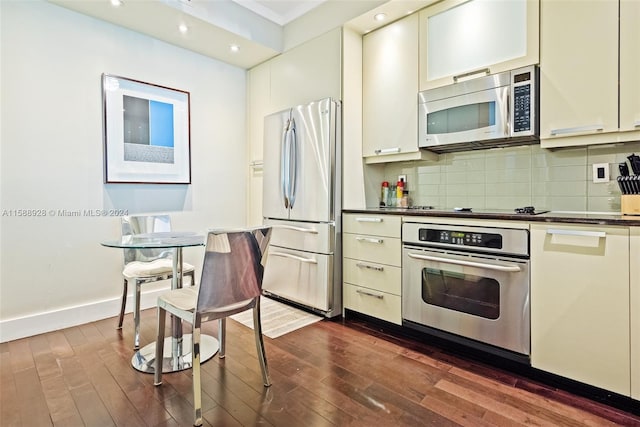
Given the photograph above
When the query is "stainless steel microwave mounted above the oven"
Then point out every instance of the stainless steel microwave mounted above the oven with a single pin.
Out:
(496, 110)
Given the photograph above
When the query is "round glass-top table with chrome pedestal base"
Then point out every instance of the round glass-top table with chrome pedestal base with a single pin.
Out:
(177, 354)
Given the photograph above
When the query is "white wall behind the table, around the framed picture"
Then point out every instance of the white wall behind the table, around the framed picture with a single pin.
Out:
(54, 272)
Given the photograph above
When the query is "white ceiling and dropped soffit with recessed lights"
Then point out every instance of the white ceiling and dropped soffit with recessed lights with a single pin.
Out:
(261, 29)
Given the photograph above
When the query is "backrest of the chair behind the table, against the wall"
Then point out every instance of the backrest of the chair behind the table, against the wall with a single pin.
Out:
(141, 224)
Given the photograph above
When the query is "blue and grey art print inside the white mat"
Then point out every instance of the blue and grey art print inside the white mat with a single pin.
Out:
(148, 130)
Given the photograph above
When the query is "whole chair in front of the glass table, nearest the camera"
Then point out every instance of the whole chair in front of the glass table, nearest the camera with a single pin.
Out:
(231, 282)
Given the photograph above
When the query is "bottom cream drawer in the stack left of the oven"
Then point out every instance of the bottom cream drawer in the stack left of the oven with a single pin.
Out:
(373, 303)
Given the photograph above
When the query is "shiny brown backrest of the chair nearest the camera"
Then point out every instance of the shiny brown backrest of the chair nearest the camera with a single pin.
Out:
(233, 267)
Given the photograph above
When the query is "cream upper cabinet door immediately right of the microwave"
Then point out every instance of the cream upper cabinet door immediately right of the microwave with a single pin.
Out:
(578, 70)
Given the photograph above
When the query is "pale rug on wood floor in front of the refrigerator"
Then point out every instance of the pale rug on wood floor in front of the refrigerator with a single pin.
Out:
(277, 318)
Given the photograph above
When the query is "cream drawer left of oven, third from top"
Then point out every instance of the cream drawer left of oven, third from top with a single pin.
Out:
(381, 277)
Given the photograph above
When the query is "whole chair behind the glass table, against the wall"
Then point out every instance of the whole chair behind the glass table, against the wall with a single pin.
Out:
(145, 265)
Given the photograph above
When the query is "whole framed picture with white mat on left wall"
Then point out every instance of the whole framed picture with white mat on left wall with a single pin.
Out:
(146, 132)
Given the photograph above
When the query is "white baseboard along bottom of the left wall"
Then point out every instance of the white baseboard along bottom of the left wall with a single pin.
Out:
(39, 323)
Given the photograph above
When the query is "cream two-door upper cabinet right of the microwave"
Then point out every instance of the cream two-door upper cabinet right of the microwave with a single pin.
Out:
(589, 80)
